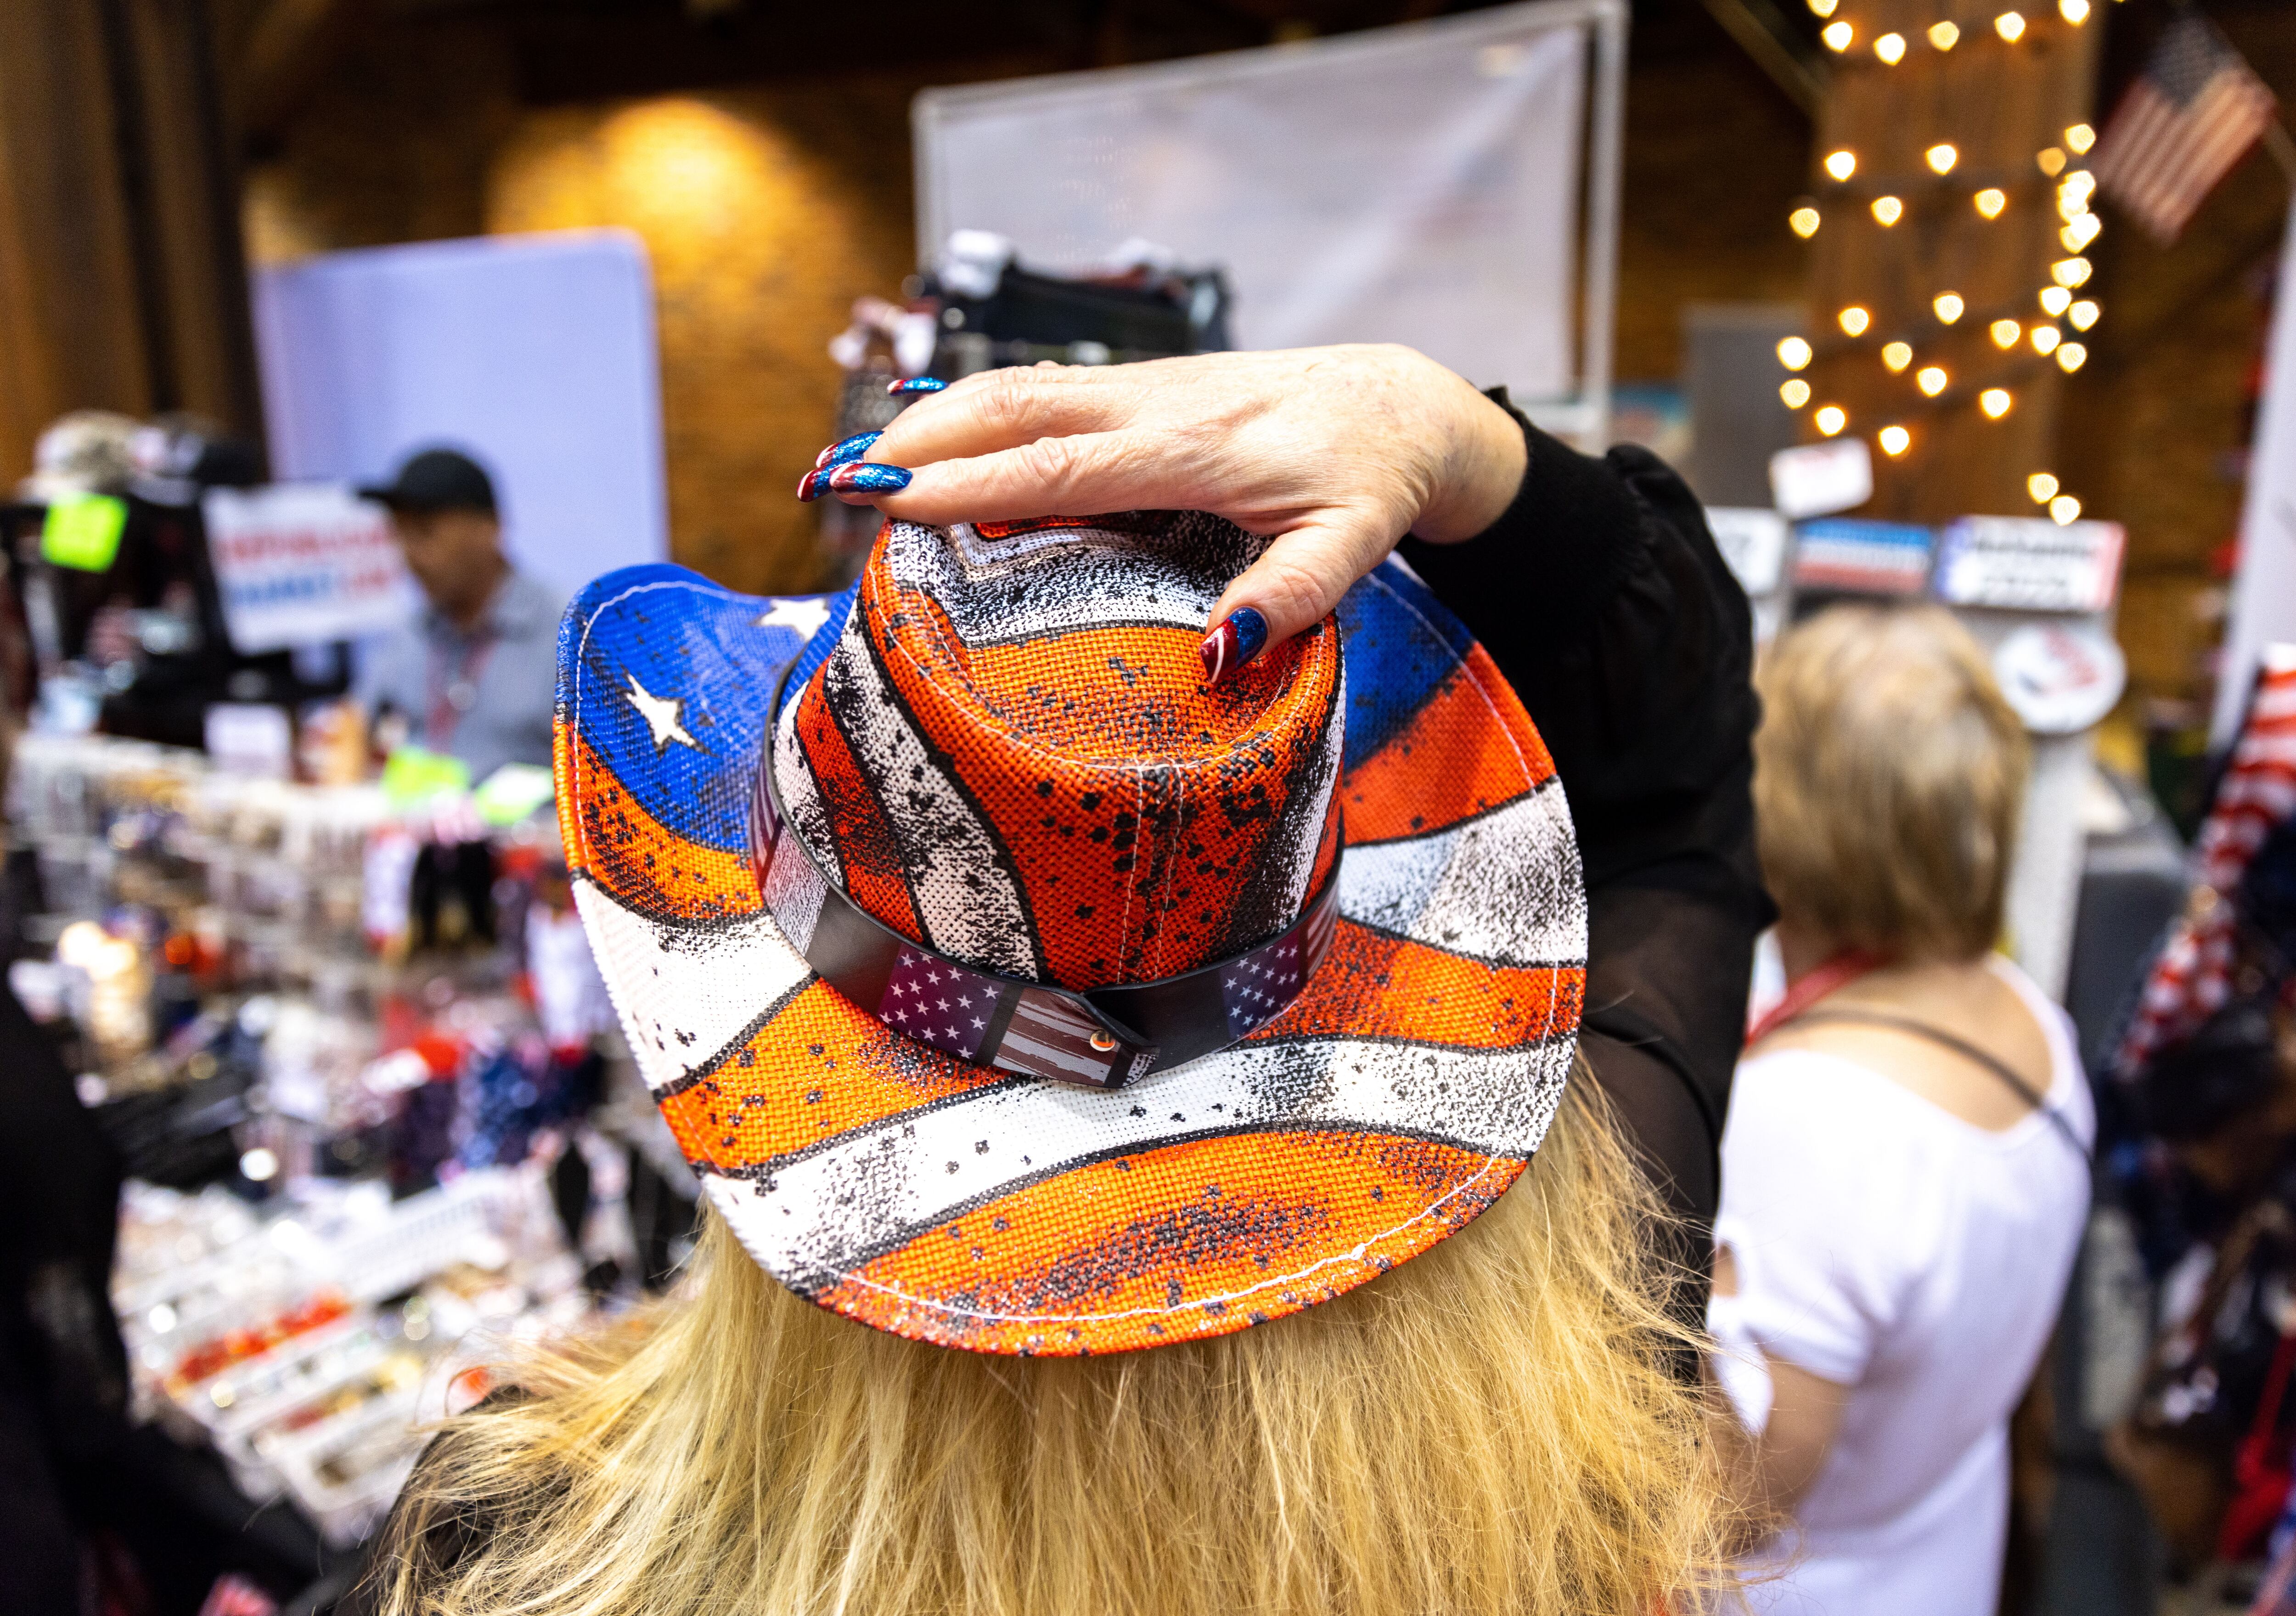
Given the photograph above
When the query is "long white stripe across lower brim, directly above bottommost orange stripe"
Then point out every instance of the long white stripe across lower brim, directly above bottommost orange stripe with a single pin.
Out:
(823, 1215)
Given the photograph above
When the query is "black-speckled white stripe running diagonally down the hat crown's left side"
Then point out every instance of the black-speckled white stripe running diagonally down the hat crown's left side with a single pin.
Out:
(965, 896)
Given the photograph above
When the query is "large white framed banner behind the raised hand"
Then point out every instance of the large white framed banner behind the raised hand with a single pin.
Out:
(1411, 185)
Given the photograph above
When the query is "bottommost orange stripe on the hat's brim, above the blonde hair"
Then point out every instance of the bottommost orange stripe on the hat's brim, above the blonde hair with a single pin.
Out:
(1200, 1238)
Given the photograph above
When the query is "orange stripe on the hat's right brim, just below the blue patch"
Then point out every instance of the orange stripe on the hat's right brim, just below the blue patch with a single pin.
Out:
(1468, 752)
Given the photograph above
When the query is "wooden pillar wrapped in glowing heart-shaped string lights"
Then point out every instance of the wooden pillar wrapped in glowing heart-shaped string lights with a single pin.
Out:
(2003, 107)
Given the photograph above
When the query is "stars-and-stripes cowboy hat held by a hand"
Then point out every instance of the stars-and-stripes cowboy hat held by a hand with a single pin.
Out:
(1014, 988)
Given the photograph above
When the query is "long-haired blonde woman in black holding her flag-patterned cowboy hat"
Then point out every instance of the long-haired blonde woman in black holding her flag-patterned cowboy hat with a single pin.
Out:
(1112, 979)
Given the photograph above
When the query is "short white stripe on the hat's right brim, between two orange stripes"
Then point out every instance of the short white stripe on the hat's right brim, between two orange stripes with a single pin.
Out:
(1471, 887)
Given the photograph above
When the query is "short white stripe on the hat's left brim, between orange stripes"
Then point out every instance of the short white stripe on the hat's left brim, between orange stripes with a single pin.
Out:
(685, 993)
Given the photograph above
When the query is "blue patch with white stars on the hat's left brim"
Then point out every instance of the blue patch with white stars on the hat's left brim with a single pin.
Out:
(669, 681)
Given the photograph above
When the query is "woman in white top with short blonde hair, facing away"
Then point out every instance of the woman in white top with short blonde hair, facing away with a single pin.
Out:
(1905, 1167)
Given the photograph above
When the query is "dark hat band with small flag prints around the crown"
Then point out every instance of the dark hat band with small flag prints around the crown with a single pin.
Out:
(1101, 1039)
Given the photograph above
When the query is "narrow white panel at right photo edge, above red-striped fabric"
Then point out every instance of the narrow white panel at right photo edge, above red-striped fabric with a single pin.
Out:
(2265, 586)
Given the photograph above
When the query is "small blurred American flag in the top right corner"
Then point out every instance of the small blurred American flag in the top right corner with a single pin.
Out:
(2192, 116)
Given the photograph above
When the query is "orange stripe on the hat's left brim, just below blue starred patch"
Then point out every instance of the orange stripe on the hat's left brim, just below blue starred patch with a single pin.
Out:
(644, 864)
